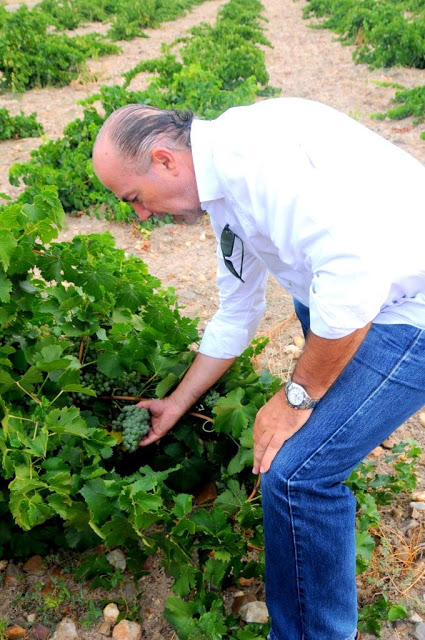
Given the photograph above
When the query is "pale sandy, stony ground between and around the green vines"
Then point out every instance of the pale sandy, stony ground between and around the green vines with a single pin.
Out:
(302, 62)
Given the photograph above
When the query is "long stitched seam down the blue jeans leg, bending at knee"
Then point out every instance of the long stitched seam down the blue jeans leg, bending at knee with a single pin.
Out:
(289, 481)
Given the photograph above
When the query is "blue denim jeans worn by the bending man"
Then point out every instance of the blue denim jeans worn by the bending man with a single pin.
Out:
(309, 515)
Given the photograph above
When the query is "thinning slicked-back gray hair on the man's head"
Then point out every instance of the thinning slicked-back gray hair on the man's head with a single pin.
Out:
(134, 129)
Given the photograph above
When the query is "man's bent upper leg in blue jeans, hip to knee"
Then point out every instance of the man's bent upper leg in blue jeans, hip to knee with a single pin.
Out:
(379, 389)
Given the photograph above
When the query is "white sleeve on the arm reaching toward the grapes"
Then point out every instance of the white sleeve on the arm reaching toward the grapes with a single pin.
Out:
(241, 306)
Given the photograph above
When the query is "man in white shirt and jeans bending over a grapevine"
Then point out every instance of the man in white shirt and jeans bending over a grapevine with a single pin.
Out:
(337, 215)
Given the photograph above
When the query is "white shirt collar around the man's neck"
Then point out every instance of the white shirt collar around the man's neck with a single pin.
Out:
(201, 139)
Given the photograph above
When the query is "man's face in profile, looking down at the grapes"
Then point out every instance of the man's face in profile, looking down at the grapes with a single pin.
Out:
(168, 186)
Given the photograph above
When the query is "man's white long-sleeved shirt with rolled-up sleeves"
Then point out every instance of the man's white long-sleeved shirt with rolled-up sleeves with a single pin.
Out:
(335, 212)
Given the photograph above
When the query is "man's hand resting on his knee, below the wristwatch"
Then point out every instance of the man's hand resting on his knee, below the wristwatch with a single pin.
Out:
(275, 423)
